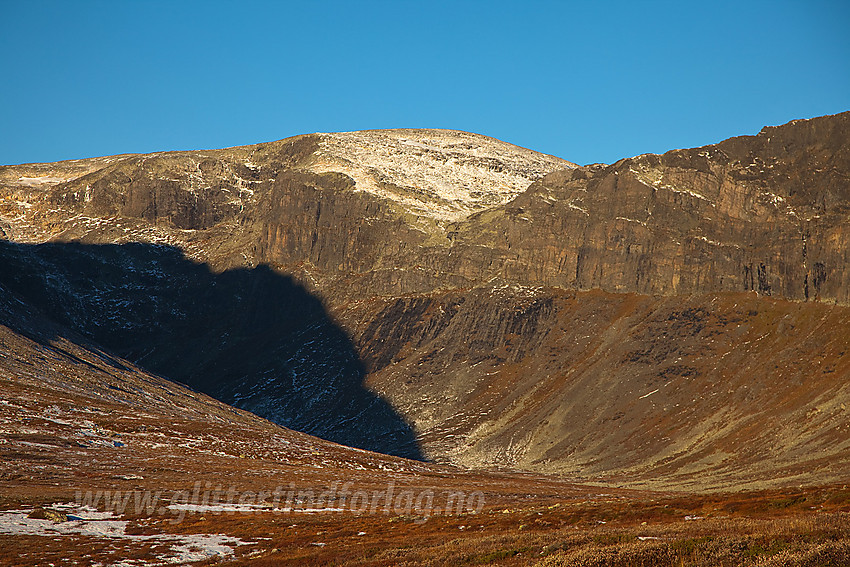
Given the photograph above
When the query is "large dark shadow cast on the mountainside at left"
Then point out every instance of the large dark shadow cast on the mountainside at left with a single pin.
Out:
(251, 338)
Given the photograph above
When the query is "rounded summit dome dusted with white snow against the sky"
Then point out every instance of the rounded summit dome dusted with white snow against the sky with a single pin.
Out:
(442, 174)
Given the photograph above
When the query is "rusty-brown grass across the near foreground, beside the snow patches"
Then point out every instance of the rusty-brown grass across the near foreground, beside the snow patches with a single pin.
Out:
(648, 530)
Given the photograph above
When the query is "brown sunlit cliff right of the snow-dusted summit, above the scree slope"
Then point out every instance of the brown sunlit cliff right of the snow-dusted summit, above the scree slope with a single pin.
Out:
(765, 213)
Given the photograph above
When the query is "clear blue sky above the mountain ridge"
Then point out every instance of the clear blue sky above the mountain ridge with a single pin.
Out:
(586, 81)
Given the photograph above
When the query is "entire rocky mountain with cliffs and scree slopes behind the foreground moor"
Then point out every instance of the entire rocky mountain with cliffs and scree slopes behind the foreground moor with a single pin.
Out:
(657, 317)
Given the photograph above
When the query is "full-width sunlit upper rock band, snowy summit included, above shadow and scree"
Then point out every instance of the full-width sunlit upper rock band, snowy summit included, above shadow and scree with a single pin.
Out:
(763, 213)
